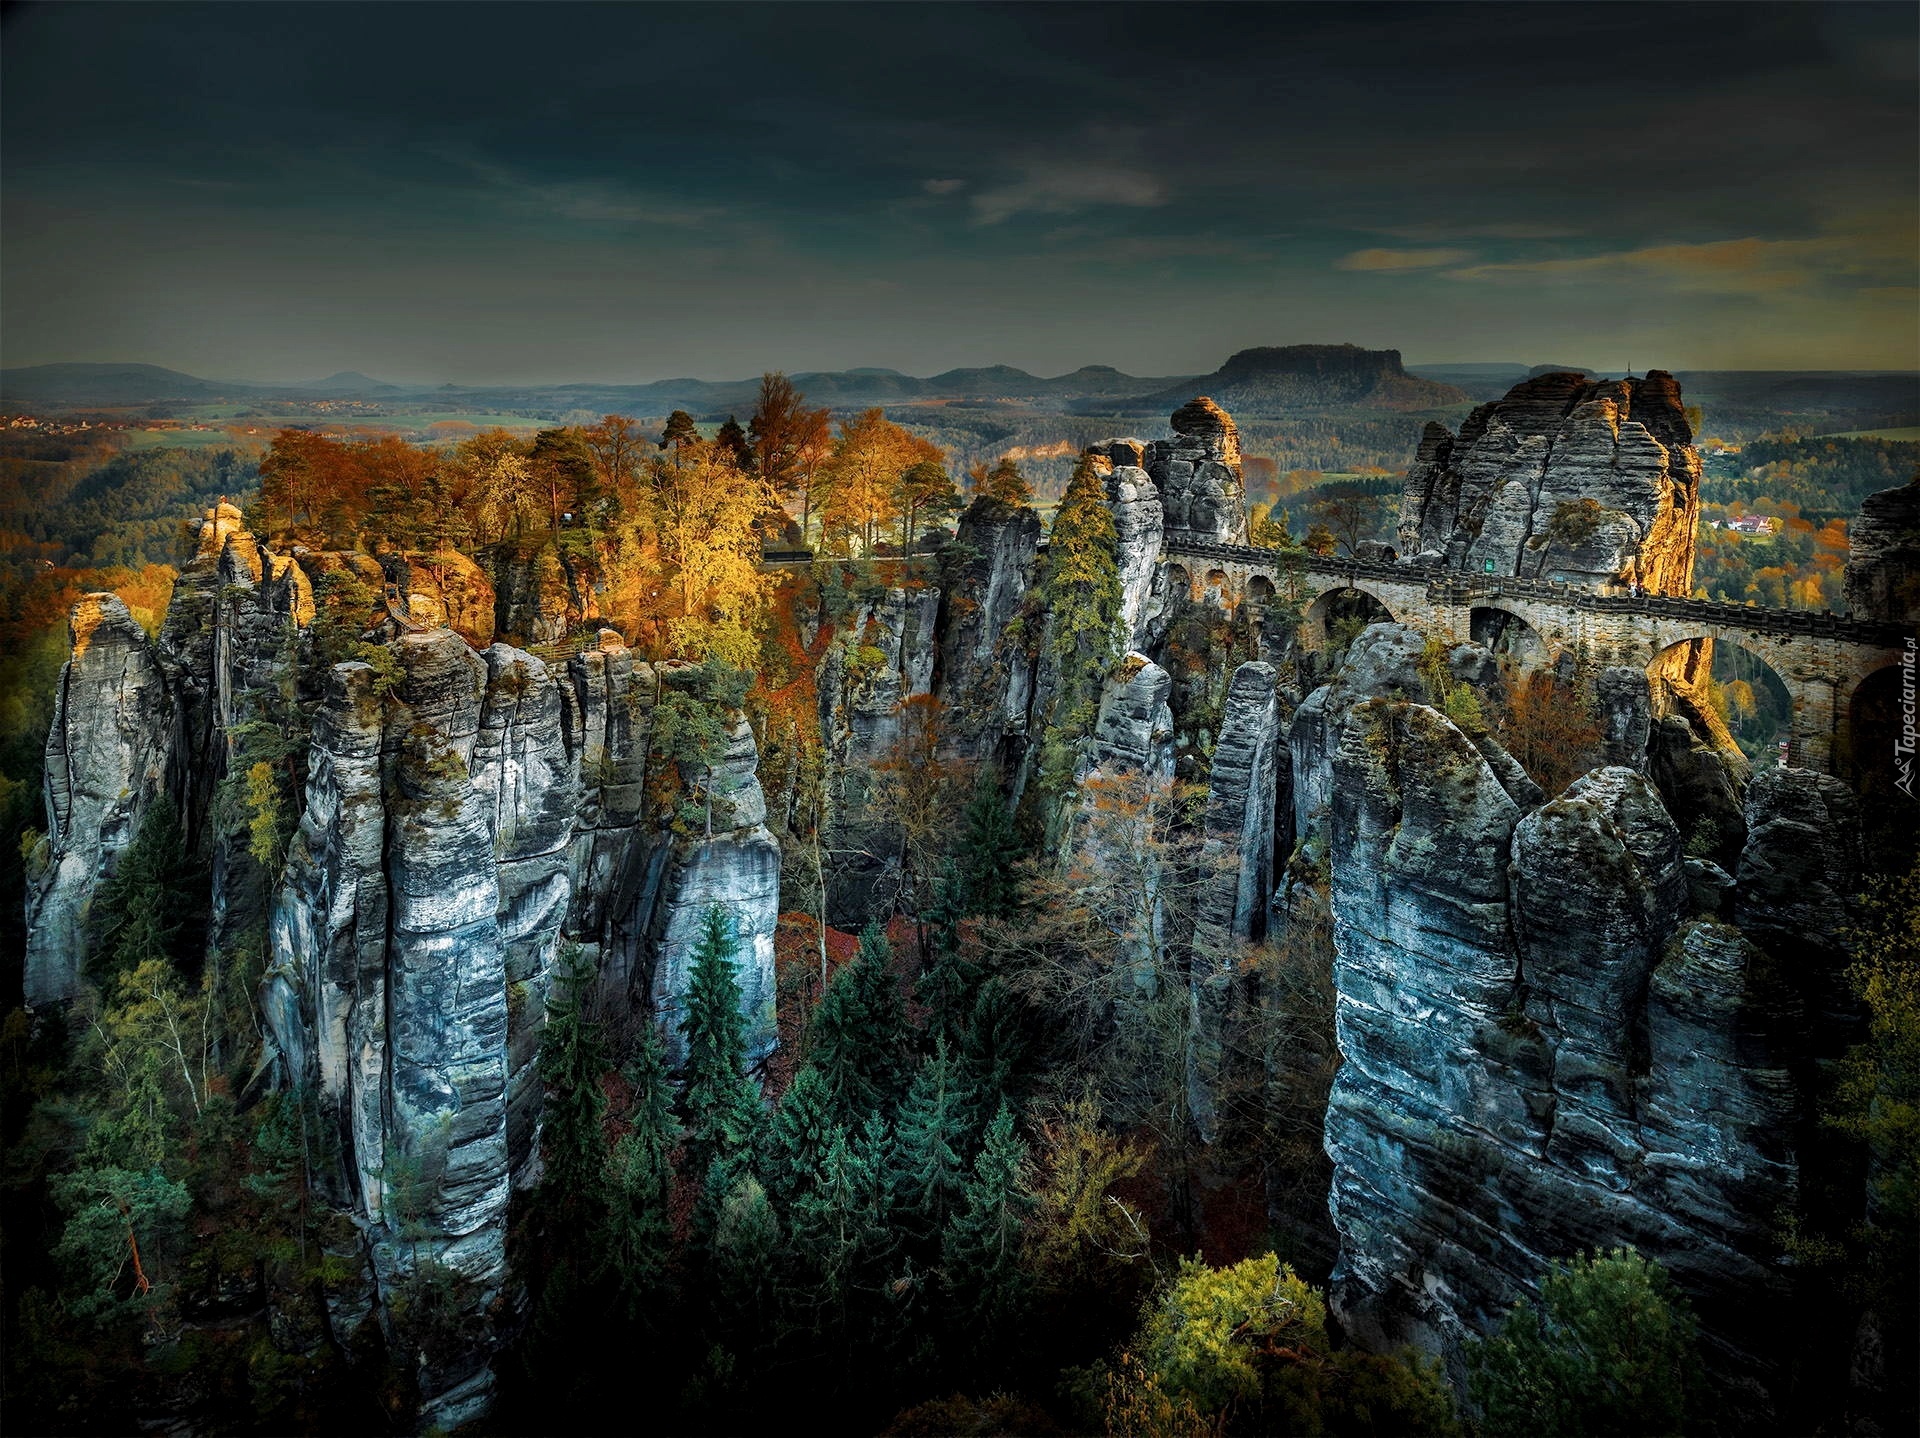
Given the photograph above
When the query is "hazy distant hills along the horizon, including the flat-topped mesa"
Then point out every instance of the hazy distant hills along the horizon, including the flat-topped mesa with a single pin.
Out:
(1259, 383)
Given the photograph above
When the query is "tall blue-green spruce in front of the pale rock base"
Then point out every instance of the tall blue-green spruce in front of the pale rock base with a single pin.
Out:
(721, 1103)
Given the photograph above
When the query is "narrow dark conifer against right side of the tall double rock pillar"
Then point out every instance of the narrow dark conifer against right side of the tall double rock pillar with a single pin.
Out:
(573, 1057)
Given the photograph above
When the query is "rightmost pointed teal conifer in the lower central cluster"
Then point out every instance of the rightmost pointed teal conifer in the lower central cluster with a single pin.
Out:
(982, 1247)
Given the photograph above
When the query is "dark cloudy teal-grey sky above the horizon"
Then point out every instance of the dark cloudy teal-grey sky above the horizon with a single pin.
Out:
(629, 193)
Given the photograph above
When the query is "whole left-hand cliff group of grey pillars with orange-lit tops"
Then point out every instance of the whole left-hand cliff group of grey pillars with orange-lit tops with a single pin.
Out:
(464, 815)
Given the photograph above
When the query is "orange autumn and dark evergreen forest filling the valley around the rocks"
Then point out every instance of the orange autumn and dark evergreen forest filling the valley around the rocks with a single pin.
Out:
(961, 1195)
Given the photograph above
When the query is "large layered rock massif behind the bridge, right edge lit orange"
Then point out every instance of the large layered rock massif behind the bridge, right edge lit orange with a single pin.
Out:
(1568, 479)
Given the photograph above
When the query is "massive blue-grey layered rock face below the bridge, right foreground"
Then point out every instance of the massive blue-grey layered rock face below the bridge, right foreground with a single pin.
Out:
(1533, 1061)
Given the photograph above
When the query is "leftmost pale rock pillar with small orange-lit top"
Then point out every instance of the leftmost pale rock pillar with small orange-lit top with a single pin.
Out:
(107, 761)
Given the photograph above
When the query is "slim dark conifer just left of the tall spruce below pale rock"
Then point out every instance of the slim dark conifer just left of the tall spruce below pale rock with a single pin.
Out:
(640, 1228)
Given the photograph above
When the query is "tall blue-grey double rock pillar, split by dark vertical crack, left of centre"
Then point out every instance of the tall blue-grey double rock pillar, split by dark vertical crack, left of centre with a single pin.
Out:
(429, 869)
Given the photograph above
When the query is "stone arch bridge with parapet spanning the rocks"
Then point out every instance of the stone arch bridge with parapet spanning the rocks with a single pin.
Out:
(1821, 659)
